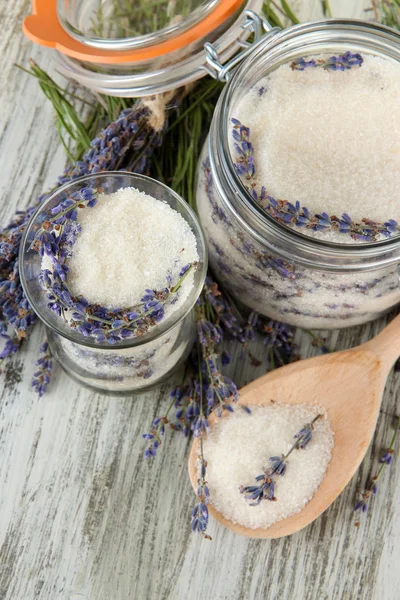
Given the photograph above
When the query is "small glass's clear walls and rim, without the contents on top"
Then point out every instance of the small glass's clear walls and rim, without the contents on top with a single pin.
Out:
(134, 364)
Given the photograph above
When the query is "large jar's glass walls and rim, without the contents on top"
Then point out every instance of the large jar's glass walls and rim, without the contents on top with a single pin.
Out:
(271, 268)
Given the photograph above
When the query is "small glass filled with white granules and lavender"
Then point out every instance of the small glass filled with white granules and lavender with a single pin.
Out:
(113, 264)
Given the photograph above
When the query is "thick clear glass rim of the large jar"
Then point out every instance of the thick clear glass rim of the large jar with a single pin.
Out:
(329, 255)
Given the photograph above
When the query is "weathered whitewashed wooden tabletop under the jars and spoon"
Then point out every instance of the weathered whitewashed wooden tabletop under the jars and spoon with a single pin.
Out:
(82, 515)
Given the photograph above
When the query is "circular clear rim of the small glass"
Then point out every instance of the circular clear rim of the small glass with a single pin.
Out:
(158, 330)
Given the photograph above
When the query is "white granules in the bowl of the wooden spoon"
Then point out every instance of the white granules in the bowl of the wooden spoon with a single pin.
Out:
(239, 447)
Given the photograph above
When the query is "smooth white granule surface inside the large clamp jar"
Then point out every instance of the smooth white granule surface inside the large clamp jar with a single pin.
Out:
(329, 139)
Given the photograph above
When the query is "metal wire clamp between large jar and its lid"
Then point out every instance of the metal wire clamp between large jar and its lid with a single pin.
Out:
(254, 23)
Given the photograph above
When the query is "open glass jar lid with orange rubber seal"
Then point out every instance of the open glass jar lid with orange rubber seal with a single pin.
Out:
(134, 48)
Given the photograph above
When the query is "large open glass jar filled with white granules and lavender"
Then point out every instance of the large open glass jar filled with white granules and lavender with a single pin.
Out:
(298, 180)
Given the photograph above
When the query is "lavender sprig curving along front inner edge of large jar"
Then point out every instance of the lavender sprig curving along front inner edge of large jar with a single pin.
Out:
(287, 213)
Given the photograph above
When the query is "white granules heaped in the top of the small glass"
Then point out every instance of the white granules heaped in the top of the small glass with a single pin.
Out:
(130, 241)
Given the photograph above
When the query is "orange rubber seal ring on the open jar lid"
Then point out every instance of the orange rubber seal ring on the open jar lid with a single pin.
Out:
(43, 27)
